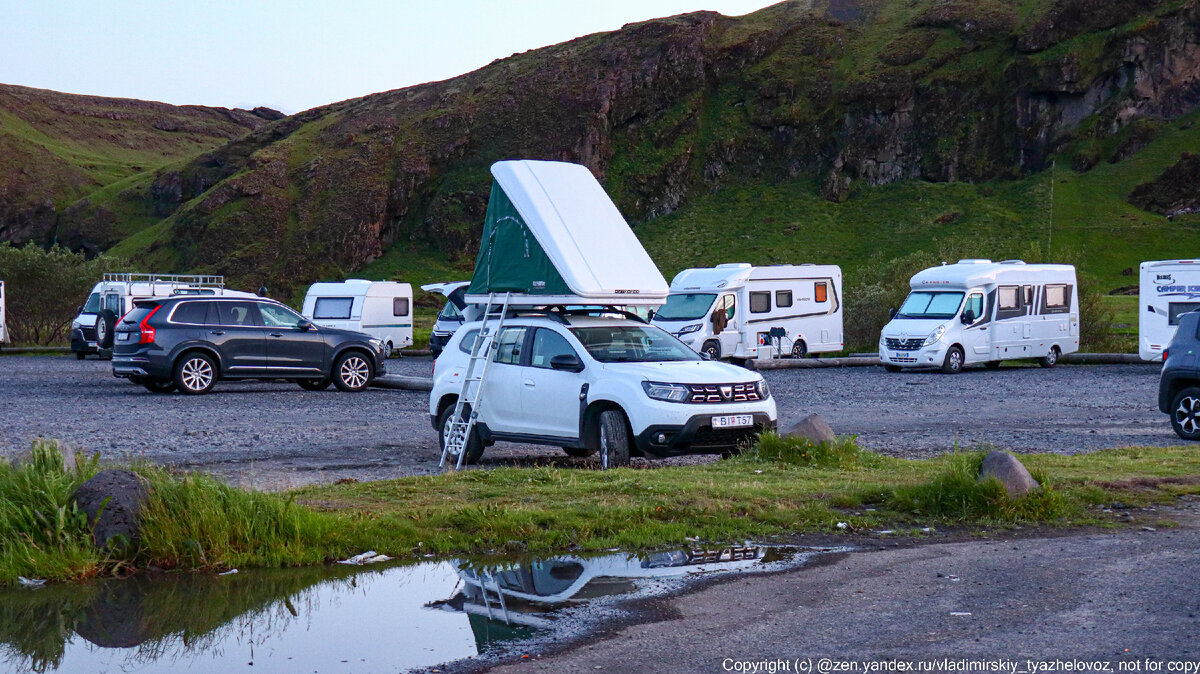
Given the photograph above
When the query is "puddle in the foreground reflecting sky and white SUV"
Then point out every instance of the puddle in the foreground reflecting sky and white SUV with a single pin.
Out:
(343, 619)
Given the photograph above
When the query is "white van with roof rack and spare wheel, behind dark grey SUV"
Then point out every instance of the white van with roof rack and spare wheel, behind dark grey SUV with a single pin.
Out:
(92, 332)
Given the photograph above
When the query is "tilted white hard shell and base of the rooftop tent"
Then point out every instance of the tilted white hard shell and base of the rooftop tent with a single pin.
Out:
(583, 233)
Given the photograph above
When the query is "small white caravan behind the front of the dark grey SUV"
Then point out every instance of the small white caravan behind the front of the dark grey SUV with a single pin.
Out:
(381, 309)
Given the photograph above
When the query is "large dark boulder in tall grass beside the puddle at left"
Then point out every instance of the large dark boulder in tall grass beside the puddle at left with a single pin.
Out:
(113, 501)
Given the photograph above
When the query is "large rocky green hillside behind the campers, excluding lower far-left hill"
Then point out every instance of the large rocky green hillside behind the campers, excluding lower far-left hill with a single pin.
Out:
(842, 131)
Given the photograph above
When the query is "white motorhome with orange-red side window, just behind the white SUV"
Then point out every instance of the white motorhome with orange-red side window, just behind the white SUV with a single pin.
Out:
(737, 311)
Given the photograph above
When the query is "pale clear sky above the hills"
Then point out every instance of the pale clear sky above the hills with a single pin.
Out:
(290, 56)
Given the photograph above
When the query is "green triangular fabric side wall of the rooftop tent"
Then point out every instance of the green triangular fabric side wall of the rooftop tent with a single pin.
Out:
(511, 258)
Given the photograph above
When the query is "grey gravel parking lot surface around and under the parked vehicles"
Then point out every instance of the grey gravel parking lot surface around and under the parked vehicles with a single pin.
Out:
(275, 435)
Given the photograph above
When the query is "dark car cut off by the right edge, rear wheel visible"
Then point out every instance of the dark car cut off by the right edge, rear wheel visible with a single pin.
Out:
(1179, 386)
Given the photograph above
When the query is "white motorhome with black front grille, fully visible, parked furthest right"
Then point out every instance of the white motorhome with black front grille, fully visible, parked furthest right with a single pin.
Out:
(980, 311)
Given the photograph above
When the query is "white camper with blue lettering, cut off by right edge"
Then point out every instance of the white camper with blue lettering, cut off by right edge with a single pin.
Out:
(1168, 291)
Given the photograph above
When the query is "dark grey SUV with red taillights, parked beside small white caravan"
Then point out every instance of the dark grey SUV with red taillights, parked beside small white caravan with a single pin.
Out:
(189, 344)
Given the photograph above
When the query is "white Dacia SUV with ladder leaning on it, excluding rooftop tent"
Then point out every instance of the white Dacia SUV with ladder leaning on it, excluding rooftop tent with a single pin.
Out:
(596, 383)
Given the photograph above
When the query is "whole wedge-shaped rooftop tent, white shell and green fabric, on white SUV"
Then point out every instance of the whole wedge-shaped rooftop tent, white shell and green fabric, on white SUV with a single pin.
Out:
(553, 236)
